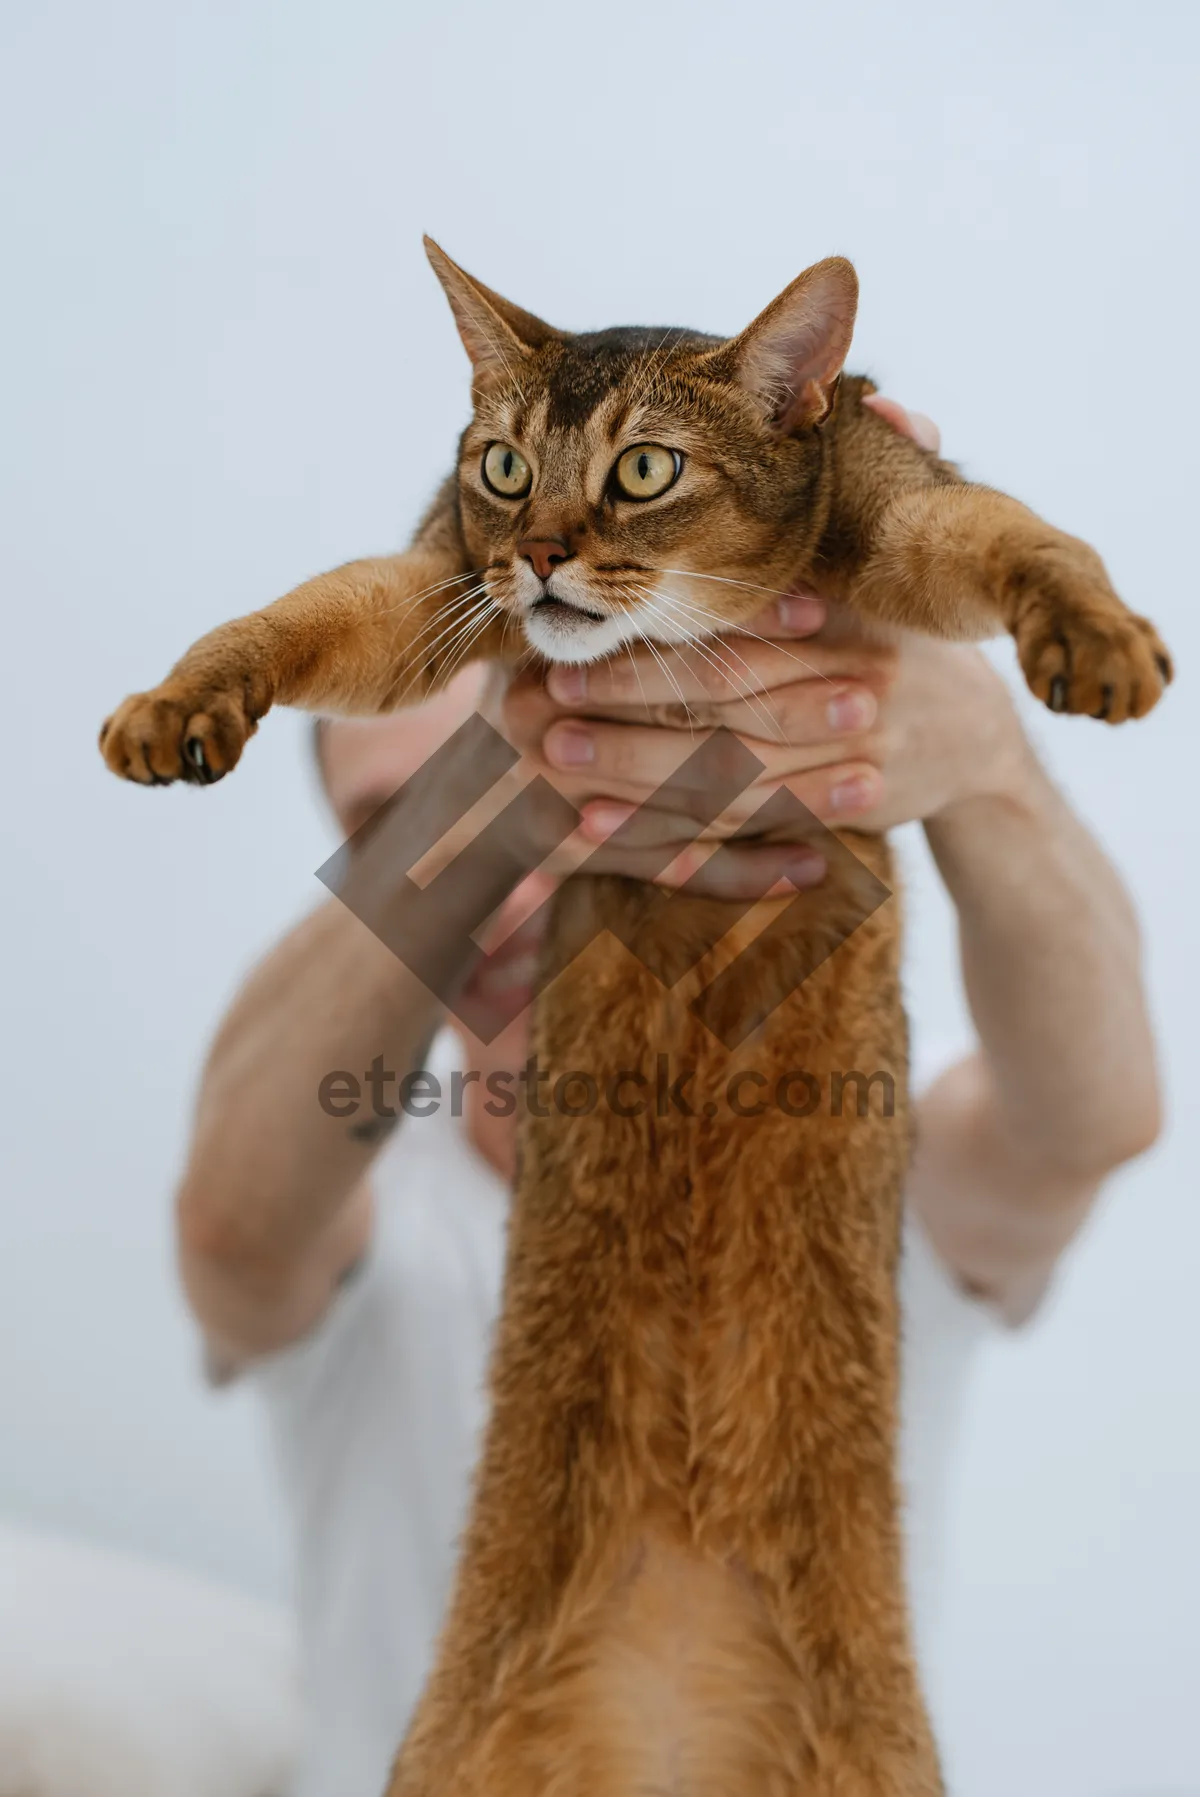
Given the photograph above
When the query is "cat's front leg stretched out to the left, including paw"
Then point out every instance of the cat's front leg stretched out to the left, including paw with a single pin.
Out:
(371, 637)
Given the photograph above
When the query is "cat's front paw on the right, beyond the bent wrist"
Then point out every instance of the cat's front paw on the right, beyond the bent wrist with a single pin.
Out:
(1084, 651)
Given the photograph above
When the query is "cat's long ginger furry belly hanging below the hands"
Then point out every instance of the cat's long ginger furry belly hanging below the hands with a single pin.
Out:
(682, 1577)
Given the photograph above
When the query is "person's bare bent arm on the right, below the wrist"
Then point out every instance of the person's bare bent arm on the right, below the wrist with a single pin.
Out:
(1018, 1140)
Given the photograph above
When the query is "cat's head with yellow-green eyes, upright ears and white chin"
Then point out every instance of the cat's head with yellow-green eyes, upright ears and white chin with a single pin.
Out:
(646, 484)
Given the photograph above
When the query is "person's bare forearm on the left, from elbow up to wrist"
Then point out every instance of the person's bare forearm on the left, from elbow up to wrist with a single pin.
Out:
(274, 1203)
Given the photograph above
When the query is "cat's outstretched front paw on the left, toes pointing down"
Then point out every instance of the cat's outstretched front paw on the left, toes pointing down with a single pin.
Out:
(177, 734)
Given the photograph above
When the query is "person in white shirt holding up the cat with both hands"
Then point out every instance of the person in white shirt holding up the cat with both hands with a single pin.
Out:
(353, 1268)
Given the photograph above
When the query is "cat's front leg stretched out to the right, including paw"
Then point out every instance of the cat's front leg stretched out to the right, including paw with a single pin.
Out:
(967, 563)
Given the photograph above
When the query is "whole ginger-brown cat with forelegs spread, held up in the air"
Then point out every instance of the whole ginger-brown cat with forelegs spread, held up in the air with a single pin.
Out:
(684, 1568)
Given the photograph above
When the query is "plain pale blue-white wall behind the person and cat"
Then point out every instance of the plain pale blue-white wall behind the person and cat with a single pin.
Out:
(229, 367)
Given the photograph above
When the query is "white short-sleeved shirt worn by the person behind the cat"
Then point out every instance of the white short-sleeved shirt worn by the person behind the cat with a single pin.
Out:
(378, 1413)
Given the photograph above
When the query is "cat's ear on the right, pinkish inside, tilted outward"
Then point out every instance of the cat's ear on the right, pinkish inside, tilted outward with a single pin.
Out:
(793, 353)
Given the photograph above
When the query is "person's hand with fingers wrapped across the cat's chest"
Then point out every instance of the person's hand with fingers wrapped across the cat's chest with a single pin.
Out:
(865, 734)
